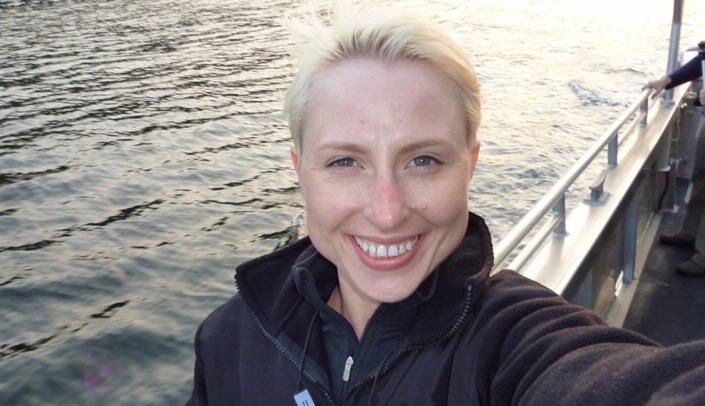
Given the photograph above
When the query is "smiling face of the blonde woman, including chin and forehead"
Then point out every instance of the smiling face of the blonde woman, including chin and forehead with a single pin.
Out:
(385, 169)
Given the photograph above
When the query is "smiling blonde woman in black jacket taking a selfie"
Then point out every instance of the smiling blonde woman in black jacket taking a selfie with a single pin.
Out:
(388, 301)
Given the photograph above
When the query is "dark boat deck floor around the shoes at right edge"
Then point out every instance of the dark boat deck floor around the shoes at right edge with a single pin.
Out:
(669, 307)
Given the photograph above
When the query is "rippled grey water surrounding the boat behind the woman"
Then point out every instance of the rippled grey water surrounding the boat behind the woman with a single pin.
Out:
(143, 156)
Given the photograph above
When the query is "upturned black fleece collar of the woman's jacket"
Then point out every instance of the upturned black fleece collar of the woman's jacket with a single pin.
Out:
(268, 287)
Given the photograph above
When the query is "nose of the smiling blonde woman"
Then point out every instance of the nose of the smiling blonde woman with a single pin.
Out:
(387, 206)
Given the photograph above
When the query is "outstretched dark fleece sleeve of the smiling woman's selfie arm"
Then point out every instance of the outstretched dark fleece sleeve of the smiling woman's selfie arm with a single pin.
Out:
(555, 353)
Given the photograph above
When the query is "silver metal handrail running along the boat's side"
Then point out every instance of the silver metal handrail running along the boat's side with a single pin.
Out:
(554, 200)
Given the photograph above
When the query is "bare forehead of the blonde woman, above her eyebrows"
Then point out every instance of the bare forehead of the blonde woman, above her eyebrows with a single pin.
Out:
(369, 96)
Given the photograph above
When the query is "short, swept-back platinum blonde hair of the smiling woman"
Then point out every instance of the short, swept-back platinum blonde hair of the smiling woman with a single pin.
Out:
(387, 33)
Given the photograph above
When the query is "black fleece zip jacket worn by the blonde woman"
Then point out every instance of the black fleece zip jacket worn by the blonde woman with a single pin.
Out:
(474, 340)
